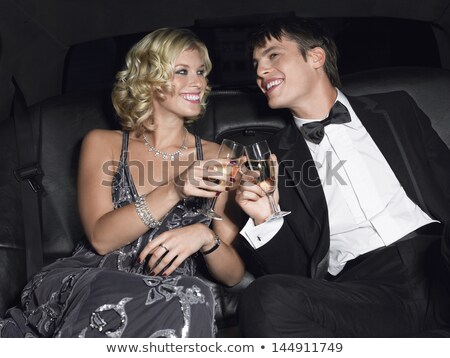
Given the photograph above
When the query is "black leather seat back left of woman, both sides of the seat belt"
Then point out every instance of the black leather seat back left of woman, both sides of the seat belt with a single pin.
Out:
(59, 125)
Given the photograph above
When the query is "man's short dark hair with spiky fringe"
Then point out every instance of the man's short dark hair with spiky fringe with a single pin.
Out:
(307, 33)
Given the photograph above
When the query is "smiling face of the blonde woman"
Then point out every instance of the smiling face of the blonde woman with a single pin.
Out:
(189, 84)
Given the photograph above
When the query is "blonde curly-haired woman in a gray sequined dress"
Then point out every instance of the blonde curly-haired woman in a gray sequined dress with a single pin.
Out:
(134, 275)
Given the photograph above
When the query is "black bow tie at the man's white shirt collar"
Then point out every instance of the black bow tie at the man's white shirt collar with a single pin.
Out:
(315, 131)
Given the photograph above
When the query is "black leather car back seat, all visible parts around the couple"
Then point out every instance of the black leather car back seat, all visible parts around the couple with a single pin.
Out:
(60, 123)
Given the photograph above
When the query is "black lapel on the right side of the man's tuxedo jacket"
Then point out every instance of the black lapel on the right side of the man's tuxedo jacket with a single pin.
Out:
(378, 124)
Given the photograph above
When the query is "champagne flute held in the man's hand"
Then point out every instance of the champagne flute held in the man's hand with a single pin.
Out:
(259, 159)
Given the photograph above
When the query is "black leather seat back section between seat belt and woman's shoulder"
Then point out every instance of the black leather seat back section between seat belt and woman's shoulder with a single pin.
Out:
(64, 121)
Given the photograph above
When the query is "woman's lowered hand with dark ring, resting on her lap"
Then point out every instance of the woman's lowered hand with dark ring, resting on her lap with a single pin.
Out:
(172, 247)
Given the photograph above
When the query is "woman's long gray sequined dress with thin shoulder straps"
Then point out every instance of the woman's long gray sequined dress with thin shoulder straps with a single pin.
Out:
(89, 295)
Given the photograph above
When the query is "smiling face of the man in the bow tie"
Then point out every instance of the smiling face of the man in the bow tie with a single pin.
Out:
(282, 73)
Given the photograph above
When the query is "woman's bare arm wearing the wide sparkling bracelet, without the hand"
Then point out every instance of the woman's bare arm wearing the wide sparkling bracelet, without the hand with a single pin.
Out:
(108, 229)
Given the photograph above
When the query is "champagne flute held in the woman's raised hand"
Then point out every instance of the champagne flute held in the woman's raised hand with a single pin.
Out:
(233, 151)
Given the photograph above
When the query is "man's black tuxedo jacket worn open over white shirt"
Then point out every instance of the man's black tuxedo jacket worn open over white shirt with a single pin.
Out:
(414, 151)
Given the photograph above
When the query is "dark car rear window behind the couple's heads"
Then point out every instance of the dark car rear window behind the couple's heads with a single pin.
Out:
(364, 44)
